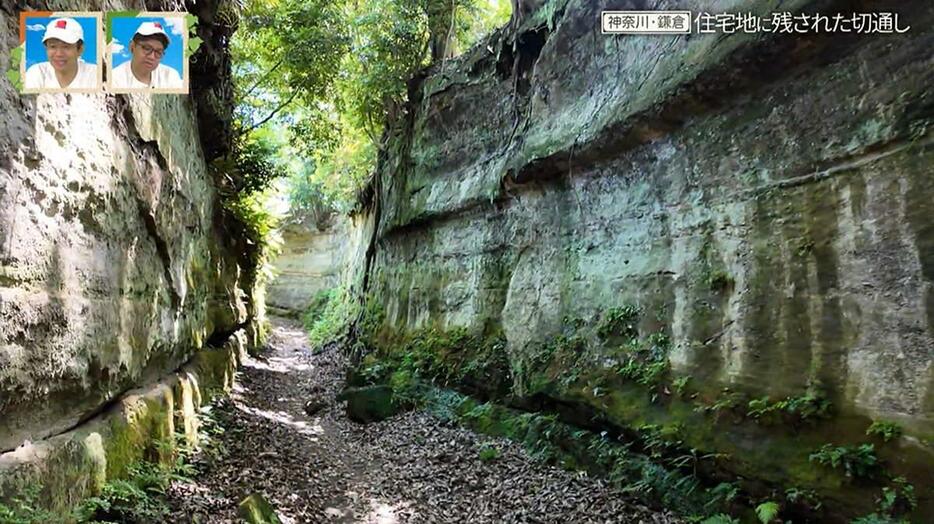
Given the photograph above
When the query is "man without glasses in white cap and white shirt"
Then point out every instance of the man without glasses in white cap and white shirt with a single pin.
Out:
(64, 43)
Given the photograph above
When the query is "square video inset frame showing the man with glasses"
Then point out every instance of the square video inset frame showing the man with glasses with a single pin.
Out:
(147, 53)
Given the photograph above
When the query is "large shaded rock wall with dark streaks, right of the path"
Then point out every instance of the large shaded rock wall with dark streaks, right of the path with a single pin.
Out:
(765, 201)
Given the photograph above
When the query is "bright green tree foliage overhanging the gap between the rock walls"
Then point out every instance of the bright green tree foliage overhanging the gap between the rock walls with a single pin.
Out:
(316, 81)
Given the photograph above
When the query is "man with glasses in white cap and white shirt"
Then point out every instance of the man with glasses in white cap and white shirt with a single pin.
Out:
(144, 69)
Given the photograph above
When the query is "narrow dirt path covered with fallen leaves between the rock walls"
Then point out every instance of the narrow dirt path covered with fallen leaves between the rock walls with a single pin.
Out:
(410, 468)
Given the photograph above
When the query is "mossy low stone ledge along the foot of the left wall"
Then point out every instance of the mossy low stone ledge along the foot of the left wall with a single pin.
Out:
(76, 464)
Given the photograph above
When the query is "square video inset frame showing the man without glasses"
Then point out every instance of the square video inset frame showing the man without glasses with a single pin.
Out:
(62, 53)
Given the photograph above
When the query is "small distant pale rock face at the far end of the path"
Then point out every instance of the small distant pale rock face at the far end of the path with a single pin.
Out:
(312, 260)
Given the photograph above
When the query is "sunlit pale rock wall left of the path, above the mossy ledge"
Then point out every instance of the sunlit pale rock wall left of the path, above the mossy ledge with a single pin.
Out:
(115, 265)
